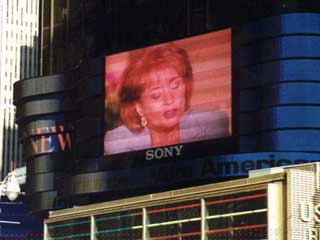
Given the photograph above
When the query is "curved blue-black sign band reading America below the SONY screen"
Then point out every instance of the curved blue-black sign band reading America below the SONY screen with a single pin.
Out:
(216, 167)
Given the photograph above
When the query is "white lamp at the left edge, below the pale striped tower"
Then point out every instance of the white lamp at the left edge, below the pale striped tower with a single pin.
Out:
(10, 187)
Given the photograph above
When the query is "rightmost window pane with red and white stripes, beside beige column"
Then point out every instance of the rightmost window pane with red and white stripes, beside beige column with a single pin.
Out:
(237, 216)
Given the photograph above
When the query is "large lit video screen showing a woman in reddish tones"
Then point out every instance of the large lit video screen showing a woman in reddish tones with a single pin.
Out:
(168, 94)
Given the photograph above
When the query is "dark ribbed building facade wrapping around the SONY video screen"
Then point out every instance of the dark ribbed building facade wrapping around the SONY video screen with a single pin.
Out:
(275, 72)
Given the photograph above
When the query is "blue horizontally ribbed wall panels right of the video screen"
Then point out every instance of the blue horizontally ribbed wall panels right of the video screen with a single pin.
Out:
(279, 84)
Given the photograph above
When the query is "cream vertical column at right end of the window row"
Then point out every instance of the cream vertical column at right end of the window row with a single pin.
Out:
(275, 211)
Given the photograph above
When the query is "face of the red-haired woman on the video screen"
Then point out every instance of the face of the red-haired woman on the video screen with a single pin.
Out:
(162, 102)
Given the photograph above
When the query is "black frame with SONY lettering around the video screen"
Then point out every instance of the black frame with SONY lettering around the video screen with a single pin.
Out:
(226, 145)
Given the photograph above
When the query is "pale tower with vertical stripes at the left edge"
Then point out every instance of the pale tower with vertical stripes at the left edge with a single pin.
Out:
(18, 60)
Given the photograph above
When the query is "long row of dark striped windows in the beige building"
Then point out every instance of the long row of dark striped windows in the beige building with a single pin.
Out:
(235, 216)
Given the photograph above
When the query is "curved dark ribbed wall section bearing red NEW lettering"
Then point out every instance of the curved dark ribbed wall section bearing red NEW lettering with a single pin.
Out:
(44, 113)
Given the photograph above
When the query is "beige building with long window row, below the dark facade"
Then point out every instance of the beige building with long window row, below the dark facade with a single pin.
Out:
(277, 203)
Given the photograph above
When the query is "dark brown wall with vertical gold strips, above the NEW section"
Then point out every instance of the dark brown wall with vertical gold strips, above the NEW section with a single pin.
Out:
(69, 33)
